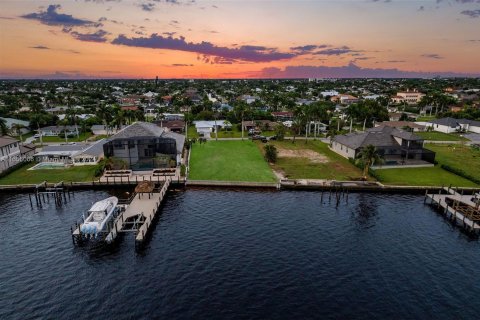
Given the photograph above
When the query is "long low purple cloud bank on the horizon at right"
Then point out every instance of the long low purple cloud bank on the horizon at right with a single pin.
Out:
(349, 71)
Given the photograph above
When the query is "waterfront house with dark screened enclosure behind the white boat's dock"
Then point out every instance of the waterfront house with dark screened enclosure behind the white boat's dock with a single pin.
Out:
(145, 146)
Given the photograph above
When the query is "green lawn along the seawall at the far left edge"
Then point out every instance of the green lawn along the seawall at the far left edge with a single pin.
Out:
(23, 176)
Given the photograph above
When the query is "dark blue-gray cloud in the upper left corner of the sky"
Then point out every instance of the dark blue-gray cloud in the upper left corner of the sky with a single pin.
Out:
(52, 18)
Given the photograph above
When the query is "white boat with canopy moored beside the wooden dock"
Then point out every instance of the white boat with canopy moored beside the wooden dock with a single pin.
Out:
(99, 214)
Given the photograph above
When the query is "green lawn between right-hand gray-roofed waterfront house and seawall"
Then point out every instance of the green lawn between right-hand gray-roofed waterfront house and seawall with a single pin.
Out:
(432, 176)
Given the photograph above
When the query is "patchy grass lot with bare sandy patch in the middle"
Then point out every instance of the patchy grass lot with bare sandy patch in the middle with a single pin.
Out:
(330, 165)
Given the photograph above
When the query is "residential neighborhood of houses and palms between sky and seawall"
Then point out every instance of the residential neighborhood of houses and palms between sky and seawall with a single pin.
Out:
(147, 125)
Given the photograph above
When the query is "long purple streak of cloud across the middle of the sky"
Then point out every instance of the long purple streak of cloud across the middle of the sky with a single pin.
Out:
(243, 53)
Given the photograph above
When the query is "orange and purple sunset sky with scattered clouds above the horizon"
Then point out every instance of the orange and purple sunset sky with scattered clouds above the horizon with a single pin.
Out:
(239, 39)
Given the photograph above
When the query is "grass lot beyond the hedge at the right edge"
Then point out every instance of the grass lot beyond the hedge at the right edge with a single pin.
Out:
(460, 157)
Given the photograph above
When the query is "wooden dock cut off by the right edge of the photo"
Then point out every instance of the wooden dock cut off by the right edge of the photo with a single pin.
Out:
(463, 210)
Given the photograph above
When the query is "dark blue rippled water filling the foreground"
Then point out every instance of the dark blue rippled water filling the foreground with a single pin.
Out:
(217, 254)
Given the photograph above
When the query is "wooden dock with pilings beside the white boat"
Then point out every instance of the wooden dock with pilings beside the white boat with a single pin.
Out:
(135, 214)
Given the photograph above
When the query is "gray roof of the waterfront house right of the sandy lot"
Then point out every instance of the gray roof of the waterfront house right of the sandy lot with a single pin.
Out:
(379, 137)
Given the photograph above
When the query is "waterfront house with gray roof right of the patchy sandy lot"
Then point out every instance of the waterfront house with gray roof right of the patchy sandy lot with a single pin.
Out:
(397, 147)
